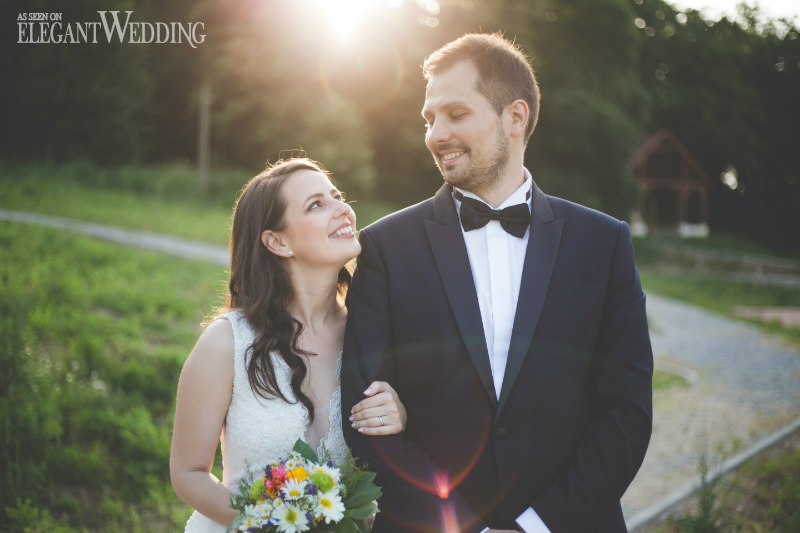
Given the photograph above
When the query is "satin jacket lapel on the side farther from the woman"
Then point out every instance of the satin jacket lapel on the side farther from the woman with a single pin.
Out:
(540, 258)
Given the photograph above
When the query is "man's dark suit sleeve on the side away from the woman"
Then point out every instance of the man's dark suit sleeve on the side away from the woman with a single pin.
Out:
(613, 448)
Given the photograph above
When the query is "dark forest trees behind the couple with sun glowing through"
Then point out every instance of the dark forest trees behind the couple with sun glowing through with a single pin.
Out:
(342, 81)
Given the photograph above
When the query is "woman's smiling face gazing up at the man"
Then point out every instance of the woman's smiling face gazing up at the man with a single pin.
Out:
(320, 229)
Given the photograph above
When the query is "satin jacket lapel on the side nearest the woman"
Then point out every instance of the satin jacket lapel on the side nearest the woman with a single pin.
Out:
(452, 261)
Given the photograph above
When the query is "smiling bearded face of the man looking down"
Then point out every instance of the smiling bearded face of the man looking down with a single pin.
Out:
(464, 134)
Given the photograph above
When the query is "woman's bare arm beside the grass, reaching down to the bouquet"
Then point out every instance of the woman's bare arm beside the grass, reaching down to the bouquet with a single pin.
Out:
(204, 394)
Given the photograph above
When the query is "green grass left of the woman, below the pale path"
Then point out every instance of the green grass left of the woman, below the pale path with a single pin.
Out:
(92, 339)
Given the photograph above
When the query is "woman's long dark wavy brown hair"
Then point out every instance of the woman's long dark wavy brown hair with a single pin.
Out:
(260, 285)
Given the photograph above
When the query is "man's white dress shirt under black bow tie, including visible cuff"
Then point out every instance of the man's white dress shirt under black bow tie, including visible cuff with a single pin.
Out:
(496, 259)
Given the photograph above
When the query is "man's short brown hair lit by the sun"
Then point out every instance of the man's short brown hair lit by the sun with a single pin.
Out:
(504, 72)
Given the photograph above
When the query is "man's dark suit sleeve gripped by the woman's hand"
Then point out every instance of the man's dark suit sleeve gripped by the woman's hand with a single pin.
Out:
(404, 470)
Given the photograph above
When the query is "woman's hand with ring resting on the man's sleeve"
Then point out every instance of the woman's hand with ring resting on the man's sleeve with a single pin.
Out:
(380, 413)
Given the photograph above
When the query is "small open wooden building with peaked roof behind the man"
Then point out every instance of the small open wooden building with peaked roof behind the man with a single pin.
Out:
(672, 188)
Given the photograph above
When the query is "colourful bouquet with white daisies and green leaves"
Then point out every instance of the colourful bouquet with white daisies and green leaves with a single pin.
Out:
(303, 493)
